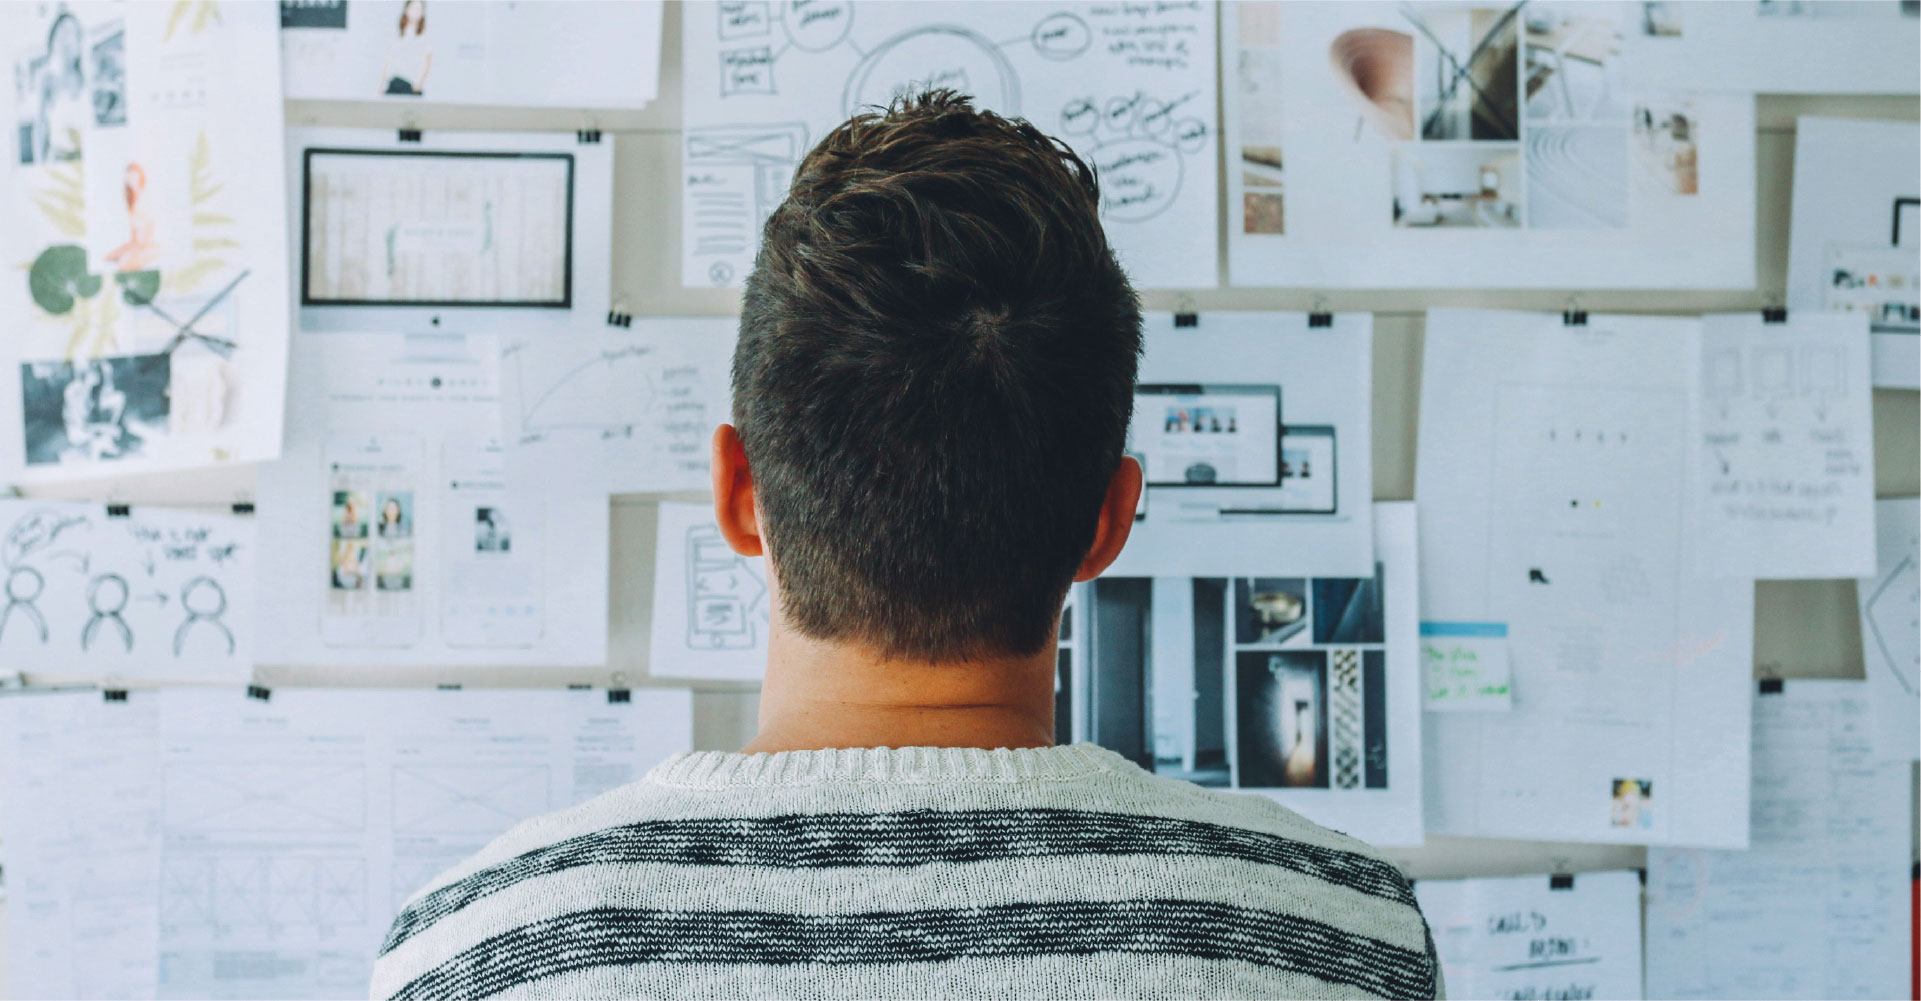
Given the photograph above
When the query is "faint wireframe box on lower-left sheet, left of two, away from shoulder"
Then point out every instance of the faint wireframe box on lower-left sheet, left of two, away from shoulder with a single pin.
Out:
(266, 798)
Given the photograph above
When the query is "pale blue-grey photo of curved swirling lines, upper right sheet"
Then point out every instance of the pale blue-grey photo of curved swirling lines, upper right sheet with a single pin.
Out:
(1576, 178)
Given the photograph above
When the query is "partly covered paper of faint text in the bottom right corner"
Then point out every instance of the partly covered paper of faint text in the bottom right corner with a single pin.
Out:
(1818, 906)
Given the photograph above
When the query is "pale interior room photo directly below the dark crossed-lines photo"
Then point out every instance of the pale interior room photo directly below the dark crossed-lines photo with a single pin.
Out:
(1457, 185)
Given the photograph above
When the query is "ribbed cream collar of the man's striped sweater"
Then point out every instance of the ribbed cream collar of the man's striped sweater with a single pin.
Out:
(885, 766)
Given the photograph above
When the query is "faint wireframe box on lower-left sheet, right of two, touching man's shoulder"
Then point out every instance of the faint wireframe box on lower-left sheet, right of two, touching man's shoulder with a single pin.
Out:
(479, 800)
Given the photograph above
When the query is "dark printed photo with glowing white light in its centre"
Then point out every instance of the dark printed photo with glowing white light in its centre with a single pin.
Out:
(1282, 737)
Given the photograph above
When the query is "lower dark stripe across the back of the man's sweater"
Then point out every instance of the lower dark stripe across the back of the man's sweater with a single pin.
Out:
(620, 937)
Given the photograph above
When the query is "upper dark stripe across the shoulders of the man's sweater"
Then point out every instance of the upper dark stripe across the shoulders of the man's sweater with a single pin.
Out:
(908, 839)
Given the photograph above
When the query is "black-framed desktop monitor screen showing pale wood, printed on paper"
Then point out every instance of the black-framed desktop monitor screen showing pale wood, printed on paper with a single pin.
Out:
(437, 228)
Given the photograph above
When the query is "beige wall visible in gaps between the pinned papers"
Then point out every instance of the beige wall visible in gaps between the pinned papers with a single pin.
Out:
(1803, 629)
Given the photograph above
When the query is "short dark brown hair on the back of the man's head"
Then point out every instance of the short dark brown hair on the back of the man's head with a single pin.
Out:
(935, 381)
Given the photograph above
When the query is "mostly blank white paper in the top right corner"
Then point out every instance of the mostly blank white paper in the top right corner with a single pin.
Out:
(1780, 47)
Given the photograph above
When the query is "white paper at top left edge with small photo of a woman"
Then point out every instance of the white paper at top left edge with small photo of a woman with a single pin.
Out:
(500, 55)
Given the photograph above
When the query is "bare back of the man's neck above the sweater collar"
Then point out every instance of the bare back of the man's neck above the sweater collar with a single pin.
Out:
(823, 695)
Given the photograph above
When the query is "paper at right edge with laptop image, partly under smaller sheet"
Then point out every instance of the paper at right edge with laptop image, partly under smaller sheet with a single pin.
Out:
(1855, 237)
